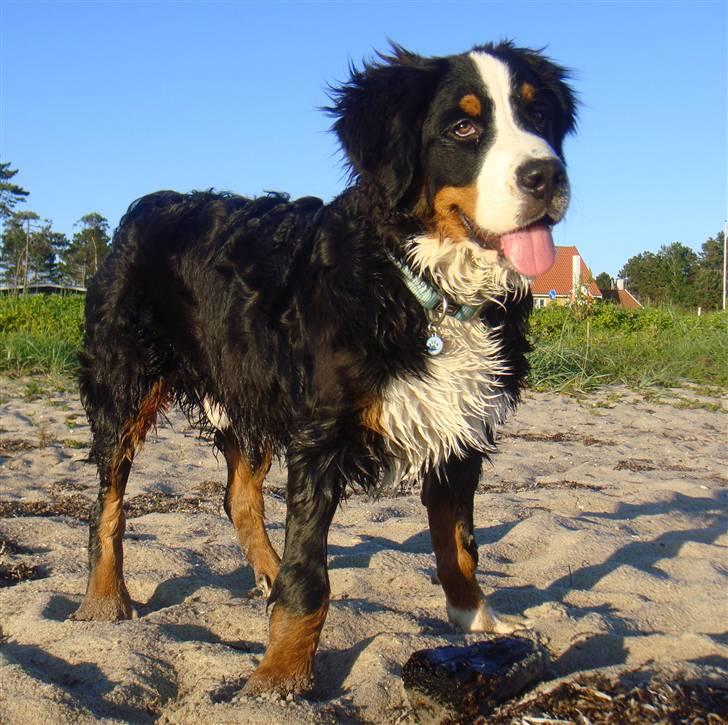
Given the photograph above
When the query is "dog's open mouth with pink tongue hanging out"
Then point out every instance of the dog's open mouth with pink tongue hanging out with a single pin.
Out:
(530, 249)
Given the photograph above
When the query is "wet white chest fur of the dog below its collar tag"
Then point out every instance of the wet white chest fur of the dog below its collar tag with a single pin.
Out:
(455, 406)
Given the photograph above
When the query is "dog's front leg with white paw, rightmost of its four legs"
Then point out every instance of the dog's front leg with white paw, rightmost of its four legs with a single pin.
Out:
(448, 495)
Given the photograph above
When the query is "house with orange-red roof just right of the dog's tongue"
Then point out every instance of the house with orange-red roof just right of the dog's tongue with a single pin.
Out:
(569, 277)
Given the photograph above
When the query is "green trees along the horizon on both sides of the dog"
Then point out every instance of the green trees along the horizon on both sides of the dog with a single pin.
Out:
(32, 251)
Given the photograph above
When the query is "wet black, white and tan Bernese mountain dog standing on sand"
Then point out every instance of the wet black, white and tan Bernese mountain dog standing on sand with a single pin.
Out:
(376, 339)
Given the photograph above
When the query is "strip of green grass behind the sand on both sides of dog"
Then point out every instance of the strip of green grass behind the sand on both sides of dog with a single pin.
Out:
(574, 349)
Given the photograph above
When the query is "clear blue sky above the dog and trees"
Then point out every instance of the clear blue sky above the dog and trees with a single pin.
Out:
(101, 102)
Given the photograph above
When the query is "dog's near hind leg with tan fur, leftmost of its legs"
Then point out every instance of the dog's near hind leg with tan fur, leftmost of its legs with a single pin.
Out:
(107, 597)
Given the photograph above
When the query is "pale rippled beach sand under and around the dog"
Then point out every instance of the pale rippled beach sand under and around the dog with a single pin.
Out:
(602, 519)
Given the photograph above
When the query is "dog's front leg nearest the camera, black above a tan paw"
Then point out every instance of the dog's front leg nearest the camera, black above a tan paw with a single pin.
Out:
(301, 590)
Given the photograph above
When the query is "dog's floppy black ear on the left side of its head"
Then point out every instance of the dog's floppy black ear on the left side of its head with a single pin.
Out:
(379, 116)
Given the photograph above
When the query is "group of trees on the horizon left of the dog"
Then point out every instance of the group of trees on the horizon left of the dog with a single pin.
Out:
(33, 252)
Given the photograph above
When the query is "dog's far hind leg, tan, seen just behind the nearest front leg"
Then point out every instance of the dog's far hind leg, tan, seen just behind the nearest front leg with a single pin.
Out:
(244, 507)
